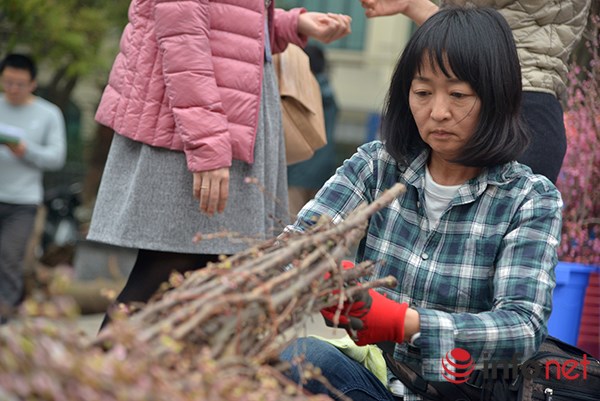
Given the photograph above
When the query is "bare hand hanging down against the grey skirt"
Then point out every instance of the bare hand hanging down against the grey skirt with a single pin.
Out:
(211, 188)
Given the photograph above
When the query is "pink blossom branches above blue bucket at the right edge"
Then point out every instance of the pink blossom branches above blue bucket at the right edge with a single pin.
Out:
(579, 180)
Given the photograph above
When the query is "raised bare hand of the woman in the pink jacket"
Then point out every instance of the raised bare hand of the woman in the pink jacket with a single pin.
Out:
(324, 27)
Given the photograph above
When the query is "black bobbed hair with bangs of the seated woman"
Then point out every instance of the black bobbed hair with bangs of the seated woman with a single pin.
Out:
(478, 46)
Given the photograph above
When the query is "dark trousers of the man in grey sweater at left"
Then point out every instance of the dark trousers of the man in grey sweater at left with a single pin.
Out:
(16, 225)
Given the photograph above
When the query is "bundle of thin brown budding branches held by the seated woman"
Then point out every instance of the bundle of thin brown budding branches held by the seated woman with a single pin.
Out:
(215, 333)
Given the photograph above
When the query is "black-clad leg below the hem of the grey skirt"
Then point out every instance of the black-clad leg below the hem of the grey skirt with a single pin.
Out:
(150, 270)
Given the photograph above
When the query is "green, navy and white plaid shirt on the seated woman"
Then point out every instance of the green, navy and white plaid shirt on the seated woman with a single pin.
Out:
(482, 279)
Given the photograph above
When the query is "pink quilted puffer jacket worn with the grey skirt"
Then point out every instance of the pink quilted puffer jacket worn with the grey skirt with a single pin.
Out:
(188, 76)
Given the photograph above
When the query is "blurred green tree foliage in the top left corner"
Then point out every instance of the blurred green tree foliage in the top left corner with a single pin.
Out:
(65, 36)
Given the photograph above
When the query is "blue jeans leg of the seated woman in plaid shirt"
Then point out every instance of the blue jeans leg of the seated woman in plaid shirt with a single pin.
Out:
(350, 377)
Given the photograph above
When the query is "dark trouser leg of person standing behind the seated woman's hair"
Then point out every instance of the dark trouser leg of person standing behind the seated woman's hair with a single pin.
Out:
(543, 115)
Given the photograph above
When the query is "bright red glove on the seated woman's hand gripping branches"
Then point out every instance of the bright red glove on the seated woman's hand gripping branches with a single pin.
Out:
(374, 317)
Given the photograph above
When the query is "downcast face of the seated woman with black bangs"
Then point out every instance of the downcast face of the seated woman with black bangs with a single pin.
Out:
(445, 109)
